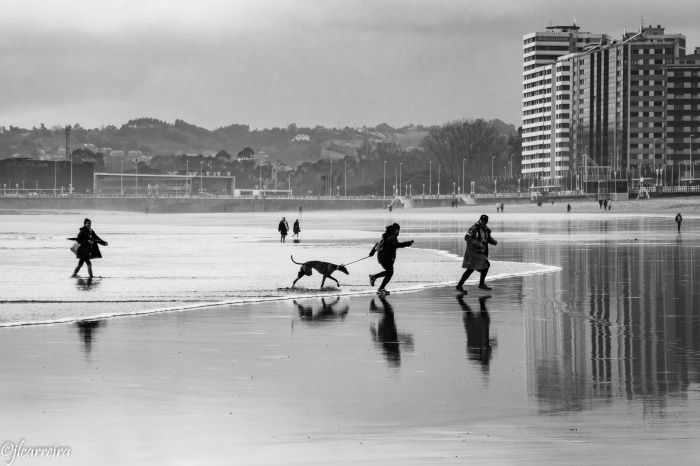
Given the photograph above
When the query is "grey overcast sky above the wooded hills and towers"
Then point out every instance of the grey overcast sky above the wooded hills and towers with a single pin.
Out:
(271, 62)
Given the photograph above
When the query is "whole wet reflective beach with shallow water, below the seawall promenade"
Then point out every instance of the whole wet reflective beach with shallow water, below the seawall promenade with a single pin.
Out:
(191, 349)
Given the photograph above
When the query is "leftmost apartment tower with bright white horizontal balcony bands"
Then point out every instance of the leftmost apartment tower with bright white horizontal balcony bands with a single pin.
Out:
(547, 100)
